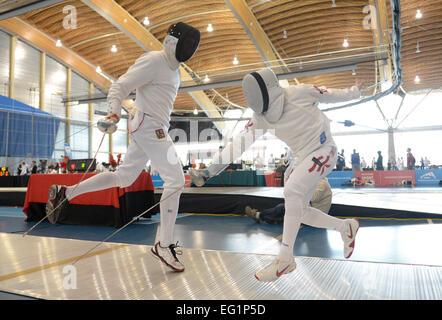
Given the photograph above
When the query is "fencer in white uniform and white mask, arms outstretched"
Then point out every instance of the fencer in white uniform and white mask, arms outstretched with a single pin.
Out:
(293, 116)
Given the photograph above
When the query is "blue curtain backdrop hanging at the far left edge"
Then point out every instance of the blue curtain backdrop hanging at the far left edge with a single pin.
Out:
(26, 131)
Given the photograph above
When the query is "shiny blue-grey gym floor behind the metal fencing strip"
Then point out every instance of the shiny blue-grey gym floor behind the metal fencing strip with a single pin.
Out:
(385, 241)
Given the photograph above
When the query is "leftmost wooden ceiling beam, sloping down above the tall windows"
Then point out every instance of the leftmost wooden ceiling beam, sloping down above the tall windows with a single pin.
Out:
(46, 44)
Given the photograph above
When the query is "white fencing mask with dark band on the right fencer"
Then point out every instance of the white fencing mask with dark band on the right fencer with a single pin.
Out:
(263, 94)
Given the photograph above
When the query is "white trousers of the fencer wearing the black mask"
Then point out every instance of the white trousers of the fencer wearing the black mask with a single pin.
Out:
(150, 141)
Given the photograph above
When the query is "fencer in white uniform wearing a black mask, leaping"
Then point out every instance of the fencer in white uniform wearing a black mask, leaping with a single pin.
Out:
(156, 78)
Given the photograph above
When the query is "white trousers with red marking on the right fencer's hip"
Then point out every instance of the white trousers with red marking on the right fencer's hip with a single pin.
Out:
(298, 190)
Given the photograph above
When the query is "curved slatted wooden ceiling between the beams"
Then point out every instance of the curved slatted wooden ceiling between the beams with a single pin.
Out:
(311, 26)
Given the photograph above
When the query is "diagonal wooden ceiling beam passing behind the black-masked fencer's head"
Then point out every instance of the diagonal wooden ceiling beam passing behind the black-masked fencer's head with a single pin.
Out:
(125, 22)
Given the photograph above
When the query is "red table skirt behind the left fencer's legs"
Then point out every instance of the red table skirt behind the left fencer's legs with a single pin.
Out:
(38, 189)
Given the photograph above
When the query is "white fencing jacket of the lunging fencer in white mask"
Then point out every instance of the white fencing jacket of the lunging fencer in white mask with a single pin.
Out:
(302, 125)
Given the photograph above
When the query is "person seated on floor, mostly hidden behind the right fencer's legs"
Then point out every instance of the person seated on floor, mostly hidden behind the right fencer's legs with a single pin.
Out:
(321, 200)
